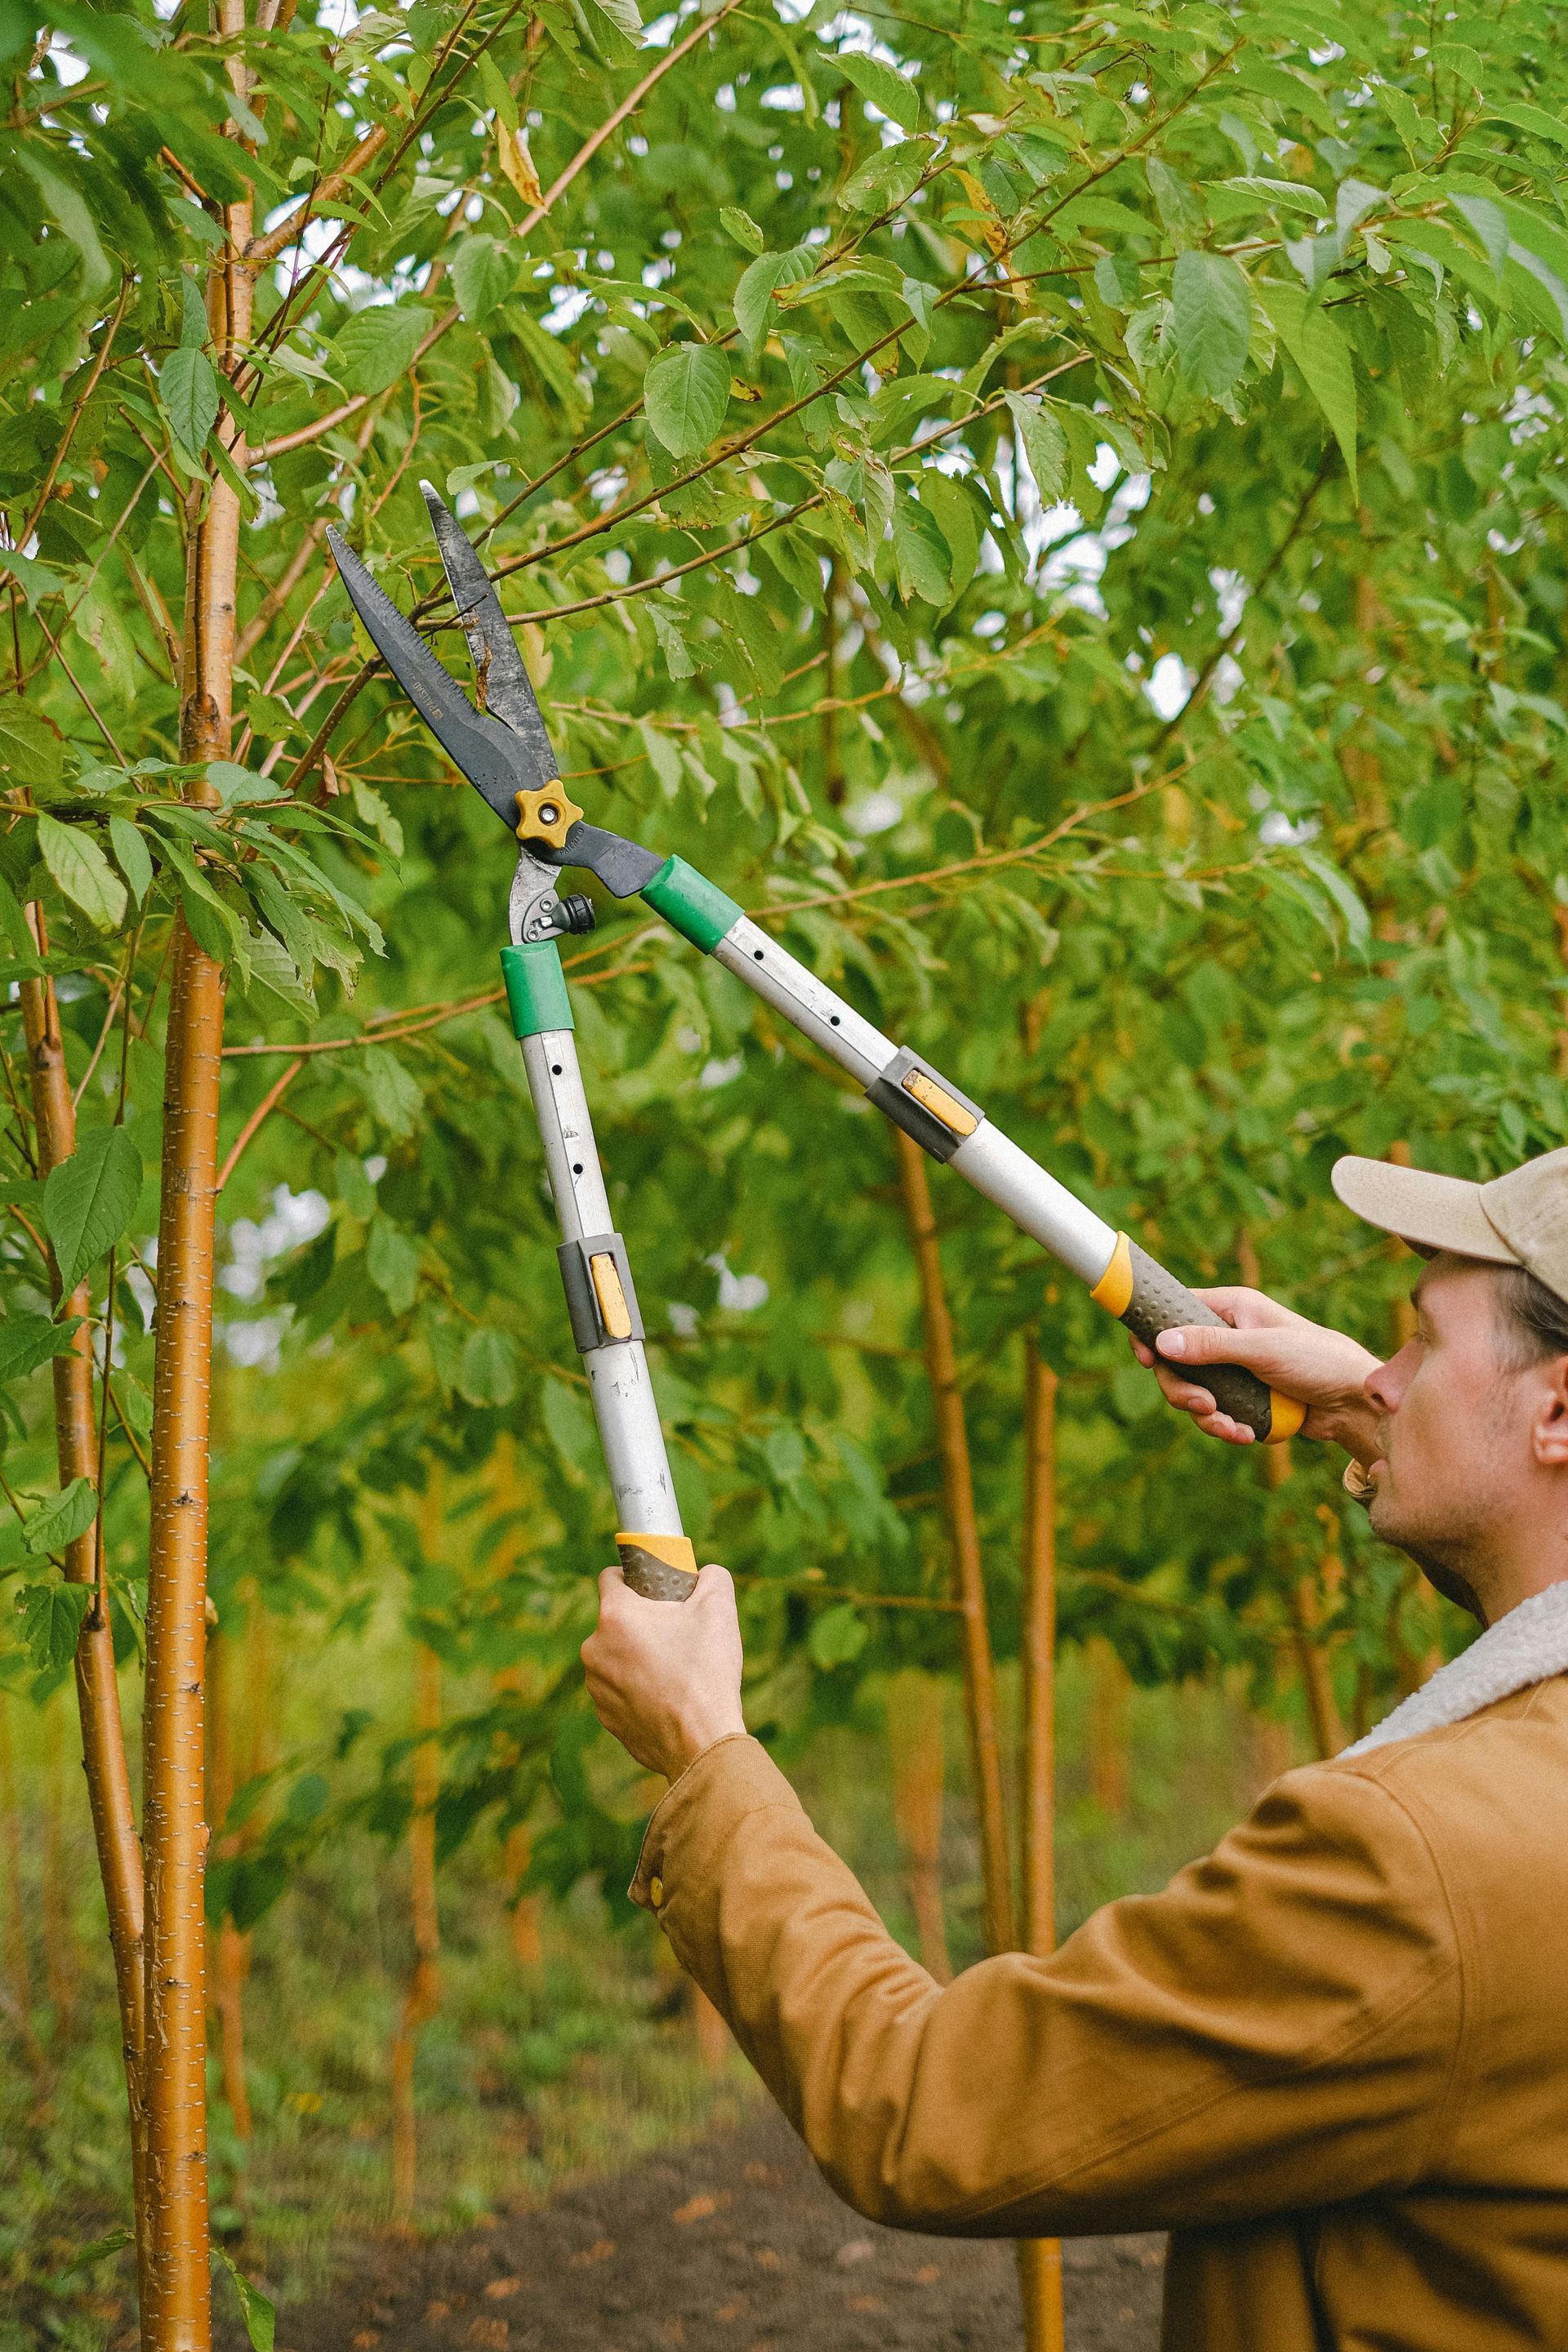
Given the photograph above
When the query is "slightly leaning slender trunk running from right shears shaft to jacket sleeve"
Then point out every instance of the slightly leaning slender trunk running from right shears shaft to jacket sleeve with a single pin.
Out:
(965, 1535)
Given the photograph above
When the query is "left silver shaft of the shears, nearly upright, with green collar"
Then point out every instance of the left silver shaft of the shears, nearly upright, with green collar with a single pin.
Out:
(598, 1281)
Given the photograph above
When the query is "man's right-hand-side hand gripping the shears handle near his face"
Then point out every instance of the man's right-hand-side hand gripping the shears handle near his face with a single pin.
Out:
(1299, 1358)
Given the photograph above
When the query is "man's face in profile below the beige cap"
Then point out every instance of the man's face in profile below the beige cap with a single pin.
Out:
(1454, 1426)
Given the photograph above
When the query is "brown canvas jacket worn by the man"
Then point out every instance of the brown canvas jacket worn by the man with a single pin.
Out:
(1332, 2057)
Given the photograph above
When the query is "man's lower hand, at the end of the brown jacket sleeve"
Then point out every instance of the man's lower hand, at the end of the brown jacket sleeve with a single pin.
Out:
(666, 1676)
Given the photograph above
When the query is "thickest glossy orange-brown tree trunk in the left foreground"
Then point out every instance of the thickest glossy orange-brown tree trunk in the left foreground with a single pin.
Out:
(177, 2297)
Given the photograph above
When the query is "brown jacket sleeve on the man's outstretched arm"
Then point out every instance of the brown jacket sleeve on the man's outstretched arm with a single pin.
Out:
(1278, 2029)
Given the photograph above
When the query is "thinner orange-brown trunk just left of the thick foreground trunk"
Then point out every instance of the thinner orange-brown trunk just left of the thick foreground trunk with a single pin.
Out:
(98, 1690)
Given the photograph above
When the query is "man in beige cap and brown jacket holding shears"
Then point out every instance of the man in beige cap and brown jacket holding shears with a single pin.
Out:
(1334, 2057)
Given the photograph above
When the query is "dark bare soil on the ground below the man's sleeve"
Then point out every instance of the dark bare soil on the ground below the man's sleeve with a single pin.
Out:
(730, 2245)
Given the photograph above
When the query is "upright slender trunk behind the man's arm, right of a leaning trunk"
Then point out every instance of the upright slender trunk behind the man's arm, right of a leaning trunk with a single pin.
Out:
(1040, 2259)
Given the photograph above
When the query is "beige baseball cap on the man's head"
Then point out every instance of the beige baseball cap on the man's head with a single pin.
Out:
(1517, 1220)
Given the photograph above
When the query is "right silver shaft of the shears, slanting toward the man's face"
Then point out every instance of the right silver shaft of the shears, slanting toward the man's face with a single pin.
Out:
(944, 1121)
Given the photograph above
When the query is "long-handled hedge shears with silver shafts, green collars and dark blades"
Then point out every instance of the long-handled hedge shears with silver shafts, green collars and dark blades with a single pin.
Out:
(507, 756)
